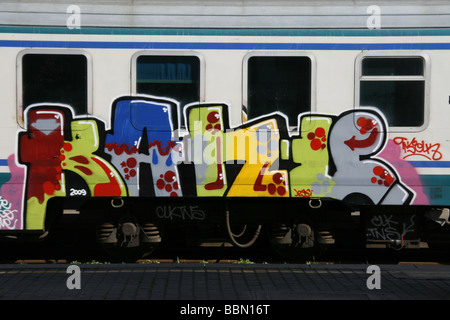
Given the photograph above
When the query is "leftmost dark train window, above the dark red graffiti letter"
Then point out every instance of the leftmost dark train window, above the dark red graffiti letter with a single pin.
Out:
(53, 78)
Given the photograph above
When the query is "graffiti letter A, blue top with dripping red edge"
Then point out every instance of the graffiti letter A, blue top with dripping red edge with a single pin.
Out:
(143, 137)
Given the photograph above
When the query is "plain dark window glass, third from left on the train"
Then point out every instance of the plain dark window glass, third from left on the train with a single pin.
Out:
(278, 83)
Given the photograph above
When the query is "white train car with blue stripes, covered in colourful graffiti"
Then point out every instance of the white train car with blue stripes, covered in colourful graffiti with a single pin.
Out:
(311, 122)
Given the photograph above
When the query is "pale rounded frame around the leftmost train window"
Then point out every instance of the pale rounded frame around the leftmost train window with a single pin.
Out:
(19, 73)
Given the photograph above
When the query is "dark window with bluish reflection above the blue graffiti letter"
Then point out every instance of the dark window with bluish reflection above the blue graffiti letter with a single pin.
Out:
(176, 77)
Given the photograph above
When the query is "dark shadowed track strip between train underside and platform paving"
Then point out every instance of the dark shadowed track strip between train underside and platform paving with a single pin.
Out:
(174, 253)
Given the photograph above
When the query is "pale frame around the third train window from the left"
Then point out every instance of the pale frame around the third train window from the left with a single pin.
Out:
(278, 54)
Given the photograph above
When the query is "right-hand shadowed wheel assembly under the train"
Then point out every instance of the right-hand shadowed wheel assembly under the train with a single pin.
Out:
(299, 242)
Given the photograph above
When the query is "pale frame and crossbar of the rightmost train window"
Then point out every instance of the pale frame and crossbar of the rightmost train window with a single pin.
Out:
(396, 54)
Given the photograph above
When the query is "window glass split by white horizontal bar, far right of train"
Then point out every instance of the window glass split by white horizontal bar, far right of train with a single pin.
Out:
(397, 86)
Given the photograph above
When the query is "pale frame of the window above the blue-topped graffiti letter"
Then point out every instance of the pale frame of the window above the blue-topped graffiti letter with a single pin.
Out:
(169, 53)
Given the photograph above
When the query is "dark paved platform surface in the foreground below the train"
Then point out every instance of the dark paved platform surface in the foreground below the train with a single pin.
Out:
(223, 282)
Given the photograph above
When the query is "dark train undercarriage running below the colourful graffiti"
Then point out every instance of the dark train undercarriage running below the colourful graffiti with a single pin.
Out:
(295, 227)
